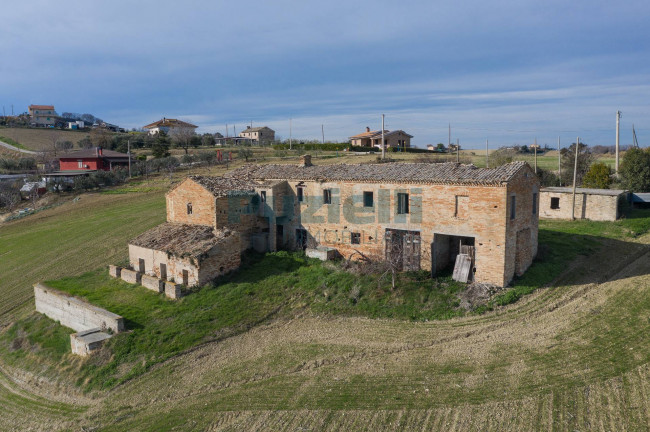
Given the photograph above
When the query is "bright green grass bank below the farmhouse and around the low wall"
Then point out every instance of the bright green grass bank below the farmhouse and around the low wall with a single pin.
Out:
(265, 285)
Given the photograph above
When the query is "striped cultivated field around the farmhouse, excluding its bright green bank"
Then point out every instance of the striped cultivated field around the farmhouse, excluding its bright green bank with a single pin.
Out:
(570, 357)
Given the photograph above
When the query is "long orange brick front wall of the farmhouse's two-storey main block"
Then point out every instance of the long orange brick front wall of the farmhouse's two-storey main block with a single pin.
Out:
(433, 209)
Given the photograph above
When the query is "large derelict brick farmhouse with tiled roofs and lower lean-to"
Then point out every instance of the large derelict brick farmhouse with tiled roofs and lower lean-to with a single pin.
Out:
(420, 215)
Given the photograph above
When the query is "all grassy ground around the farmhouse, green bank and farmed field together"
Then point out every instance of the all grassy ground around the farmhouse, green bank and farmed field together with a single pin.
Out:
(570, 357)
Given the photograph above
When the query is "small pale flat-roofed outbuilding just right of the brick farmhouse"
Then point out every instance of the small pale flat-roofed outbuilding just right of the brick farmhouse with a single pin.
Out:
(592, 204)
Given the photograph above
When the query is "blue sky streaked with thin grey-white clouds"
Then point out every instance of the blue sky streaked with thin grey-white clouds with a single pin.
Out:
(507, 71)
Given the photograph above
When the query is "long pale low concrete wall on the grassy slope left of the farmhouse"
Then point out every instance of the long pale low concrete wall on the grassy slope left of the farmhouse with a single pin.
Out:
(73, 312)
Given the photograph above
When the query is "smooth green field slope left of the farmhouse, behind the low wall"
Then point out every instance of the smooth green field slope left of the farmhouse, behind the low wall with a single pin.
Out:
(68, 240)
